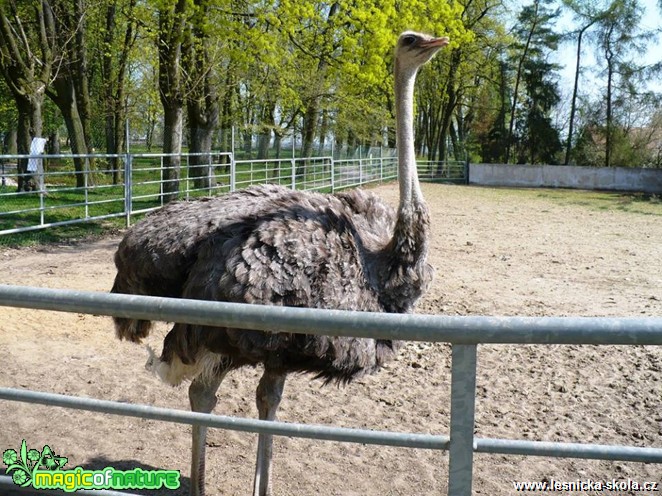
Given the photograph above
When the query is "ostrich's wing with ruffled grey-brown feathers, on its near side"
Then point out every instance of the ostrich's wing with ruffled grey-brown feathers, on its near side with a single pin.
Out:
(306, 255)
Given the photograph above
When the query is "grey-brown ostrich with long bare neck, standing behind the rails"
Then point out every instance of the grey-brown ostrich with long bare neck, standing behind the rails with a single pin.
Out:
(269, 245)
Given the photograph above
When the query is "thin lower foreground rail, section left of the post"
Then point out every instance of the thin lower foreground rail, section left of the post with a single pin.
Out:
(327, 433)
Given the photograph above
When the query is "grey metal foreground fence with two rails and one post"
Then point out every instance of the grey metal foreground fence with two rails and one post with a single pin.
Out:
(464, 333)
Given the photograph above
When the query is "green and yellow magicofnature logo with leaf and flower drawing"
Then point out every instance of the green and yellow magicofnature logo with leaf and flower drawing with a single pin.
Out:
(44, 470)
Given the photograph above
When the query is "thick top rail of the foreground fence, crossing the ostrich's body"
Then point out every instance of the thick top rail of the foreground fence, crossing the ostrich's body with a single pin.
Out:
(461, 330)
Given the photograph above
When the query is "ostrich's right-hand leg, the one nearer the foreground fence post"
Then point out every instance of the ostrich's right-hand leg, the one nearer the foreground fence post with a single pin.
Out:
(269, 393)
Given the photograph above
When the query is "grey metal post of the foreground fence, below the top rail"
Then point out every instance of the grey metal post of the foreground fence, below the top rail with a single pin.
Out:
(463, 402)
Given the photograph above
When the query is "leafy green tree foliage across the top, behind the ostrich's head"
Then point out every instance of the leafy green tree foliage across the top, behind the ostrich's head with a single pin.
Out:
(323, 70)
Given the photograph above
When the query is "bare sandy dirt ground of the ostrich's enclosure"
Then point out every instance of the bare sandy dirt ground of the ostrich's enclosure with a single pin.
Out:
(496, 252)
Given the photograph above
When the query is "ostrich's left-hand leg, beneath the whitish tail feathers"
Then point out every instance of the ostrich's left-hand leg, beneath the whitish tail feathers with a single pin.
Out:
(202, 396)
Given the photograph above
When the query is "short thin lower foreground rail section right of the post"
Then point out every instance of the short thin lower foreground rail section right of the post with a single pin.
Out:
(568, 450)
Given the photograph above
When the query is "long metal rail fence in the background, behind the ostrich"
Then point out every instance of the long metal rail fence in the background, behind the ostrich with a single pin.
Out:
(116, 186)
